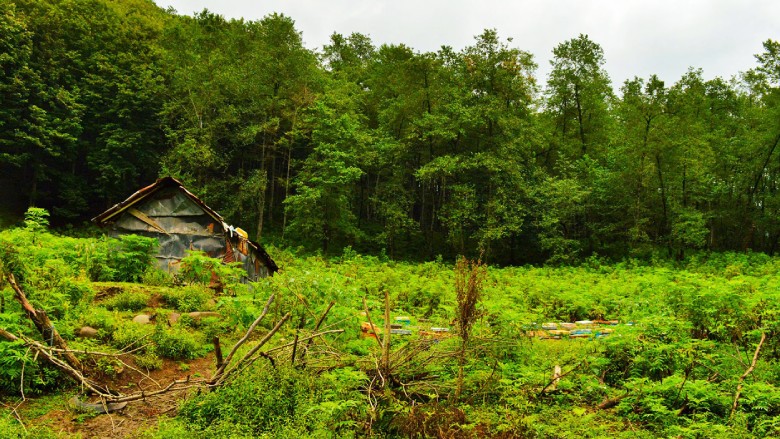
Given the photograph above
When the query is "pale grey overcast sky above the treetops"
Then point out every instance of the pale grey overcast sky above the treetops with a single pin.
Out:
(639, 38)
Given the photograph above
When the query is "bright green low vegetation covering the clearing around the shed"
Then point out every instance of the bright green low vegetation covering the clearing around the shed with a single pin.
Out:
(684, 341)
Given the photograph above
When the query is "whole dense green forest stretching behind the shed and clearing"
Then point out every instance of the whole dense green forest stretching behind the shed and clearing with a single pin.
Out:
(384, 149)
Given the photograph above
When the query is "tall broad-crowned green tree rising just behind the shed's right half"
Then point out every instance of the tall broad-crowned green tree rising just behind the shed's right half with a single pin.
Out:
(235, 98)
